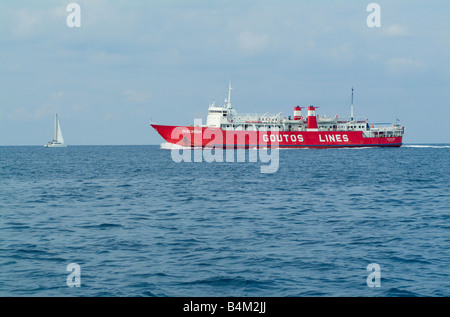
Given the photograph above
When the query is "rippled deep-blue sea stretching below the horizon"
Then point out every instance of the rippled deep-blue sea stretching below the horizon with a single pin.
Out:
(139, 224)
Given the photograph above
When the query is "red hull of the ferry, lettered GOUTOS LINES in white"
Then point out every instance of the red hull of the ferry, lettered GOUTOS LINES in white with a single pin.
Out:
(218, 138)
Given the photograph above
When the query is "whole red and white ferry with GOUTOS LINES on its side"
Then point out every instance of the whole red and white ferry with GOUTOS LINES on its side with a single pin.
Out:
(225, 128)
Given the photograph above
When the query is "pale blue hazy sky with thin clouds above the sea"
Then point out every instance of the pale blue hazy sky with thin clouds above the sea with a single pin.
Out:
(130, 62)
